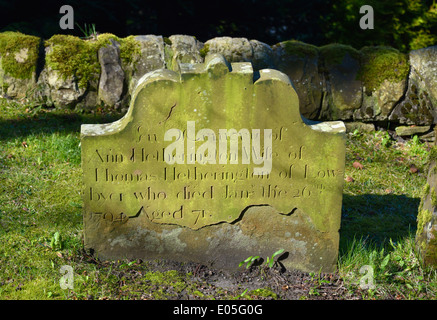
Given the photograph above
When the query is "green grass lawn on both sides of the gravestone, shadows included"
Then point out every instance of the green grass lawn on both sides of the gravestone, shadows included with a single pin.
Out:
(41, 219)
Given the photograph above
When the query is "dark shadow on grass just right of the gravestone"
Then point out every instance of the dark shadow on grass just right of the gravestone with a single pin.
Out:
(377, 218)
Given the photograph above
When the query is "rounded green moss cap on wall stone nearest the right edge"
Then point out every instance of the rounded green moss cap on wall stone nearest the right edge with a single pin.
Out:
(382, 63)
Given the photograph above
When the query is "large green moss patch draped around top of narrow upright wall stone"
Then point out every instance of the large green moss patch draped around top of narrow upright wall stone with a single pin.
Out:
(75, 57)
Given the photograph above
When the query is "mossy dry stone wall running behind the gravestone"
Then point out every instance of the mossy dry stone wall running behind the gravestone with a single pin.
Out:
(333, 82)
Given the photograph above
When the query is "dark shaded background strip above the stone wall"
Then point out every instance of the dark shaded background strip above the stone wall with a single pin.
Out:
(403, 24)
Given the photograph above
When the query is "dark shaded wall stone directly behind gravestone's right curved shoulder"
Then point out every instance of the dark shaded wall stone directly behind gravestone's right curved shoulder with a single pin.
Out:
(299, 61)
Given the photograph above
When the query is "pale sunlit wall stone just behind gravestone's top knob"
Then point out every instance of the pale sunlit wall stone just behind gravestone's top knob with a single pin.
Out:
(233, 49)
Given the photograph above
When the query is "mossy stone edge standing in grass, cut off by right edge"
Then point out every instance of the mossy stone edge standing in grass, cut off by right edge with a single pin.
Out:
(426, 234)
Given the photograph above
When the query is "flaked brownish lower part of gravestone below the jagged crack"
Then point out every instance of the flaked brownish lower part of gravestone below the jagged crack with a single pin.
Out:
(260, 231)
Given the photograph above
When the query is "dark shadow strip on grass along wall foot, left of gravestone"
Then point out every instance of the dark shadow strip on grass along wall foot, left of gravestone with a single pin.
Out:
(50, 122)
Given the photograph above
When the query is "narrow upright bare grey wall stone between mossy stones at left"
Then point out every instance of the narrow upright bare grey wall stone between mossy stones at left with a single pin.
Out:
(111, 82)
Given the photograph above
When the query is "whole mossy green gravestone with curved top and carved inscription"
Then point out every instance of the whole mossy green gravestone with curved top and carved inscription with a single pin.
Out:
(213, 164)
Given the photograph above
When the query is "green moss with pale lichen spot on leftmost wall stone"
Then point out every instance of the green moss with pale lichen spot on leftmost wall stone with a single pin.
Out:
(19, 54)
